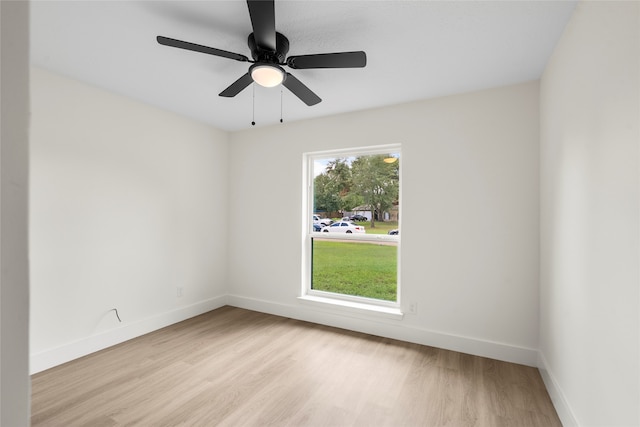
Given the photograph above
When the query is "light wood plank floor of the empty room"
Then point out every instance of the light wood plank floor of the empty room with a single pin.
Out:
(236, 367)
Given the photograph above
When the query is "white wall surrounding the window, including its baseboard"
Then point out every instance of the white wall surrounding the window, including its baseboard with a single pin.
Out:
(469, 218)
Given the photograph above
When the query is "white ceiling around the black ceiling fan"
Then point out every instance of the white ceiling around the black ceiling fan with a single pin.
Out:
(415, 50)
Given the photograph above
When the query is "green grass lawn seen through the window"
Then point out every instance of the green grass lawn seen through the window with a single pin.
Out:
(356, 268)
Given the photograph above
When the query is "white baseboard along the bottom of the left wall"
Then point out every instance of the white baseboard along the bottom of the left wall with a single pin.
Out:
(56, 356)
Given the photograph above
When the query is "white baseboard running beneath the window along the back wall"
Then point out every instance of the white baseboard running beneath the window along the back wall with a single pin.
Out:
(379, 326)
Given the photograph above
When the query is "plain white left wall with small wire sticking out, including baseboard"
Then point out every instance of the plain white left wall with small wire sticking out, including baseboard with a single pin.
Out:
(128, 203)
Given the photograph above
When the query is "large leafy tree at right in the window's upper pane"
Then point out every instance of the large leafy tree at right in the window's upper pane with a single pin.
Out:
(376, 182)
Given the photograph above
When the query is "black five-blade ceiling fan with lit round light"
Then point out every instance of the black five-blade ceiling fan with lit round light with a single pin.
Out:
(268, 50)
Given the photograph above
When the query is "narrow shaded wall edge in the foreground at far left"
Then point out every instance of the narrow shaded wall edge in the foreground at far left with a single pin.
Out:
(14, 163)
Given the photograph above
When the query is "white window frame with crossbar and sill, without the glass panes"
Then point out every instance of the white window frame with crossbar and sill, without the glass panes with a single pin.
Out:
(391, 308)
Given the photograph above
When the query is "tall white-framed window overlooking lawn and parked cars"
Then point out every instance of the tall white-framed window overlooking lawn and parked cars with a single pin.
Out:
(352, 237)
